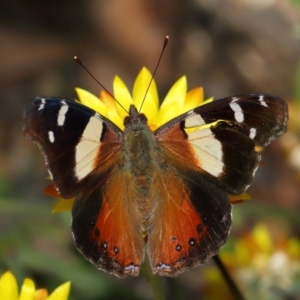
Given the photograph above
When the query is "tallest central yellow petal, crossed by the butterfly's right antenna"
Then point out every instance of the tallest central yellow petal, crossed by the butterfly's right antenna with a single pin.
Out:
(150, 105)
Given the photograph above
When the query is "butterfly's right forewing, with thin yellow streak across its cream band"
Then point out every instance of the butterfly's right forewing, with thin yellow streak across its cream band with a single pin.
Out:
(218, 139)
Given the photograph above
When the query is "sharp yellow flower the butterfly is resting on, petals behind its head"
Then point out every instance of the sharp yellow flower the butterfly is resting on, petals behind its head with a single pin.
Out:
(176, 102)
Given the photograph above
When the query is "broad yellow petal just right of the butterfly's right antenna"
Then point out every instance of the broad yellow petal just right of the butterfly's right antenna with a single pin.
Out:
(173, 104)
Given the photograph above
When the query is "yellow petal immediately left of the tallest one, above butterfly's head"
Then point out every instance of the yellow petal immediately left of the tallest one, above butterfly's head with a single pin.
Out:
(123, 96)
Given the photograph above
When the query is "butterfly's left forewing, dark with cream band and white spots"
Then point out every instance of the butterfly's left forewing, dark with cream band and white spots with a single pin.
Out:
(75, 140)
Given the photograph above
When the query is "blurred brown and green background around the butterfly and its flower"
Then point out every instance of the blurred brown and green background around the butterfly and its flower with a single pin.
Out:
(228, 47)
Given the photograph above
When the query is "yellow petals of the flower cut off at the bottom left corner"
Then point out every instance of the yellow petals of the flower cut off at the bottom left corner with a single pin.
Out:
(9, 290)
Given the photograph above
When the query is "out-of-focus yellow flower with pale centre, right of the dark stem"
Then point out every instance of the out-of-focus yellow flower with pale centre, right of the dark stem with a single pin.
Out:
(260, 261)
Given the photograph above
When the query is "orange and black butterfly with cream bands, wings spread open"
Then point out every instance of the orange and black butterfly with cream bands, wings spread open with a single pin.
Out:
(163, 193)
